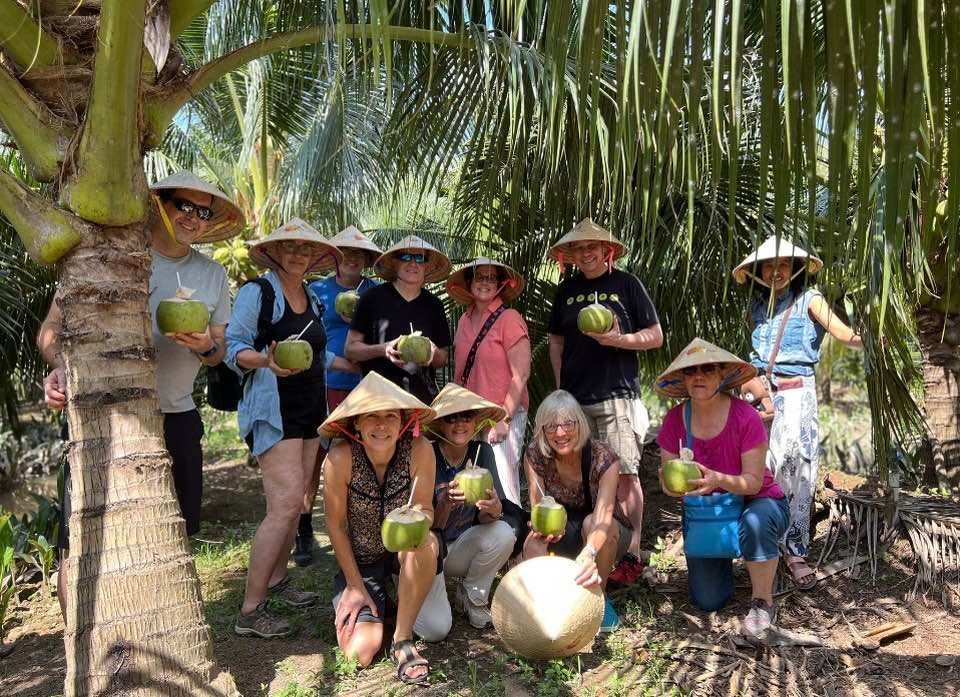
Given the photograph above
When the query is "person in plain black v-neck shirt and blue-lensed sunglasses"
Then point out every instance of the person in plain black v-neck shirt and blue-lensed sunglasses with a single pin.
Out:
(398, 307)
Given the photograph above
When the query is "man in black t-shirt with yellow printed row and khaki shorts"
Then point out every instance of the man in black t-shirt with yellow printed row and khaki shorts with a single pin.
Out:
(601, 370)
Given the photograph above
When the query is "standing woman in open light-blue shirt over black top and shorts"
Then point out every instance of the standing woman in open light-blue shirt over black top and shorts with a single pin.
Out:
(280, 408)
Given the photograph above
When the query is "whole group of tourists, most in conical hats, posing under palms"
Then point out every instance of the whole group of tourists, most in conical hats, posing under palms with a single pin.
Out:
(367, 416)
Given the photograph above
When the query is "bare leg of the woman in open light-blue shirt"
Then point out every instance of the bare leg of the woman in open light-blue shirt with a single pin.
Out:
(283, 487)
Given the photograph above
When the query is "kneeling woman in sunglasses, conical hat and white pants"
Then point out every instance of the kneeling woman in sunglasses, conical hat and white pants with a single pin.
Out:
(479, 538)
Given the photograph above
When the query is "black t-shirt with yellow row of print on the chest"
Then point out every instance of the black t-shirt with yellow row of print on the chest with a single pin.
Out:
(589, 371)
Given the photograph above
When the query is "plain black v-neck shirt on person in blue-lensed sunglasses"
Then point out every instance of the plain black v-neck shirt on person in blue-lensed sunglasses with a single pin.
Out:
(383, 314)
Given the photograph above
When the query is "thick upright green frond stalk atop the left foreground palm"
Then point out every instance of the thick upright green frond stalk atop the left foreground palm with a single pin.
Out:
(108, 185)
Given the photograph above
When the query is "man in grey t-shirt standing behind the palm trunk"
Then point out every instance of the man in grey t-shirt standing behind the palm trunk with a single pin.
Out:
(188, 211)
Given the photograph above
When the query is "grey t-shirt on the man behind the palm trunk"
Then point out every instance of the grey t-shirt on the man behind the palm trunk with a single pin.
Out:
(177, 367)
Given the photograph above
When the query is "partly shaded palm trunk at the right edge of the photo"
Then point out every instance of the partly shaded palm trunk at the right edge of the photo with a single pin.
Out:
(941, 392)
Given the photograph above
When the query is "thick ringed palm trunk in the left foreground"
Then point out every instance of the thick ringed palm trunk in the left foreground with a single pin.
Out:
(134, 622)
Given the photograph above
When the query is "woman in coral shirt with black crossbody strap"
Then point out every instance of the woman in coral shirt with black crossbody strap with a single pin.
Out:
(492, 356)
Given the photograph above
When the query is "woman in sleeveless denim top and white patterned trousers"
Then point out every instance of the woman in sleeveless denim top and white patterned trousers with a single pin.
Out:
(779, 272)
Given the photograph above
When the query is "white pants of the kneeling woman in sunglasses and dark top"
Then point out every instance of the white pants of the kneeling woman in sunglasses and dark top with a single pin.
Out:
(475, 557)
